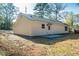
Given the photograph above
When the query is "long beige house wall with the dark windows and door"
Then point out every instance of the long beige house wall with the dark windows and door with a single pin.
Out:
(36, 27)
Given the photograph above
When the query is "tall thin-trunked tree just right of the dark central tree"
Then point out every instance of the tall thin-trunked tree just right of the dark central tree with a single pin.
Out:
(57, 8)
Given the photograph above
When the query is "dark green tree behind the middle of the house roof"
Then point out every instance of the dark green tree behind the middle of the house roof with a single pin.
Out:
(41, 9)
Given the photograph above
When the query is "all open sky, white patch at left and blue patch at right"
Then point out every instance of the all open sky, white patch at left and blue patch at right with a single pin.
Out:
(71, 7)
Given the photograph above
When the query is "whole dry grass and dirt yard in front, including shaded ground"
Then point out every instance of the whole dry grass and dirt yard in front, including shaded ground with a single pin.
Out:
(14, 45)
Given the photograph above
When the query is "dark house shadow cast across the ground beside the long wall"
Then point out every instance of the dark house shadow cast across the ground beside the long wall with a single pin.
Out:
(52, 40)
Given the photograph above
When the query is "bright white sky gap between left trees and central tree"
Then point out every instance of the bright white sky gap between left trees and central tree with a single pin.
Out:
(29, 7)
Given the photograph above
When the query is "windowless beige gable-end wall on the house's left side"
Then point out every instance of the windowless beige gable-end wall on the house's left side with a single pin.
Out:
(22, 26)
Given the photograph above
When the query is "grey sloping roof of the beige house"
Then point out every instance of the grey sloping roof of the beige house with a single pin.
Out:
(35, 18)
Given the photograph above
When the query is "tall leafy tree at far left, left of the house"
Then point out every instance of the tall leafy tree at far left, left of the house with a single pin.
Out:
(8, 11)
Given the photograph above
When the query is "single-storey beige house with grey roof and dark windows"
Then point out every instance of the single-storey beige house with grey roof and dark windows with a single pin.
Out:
(31, 25)
